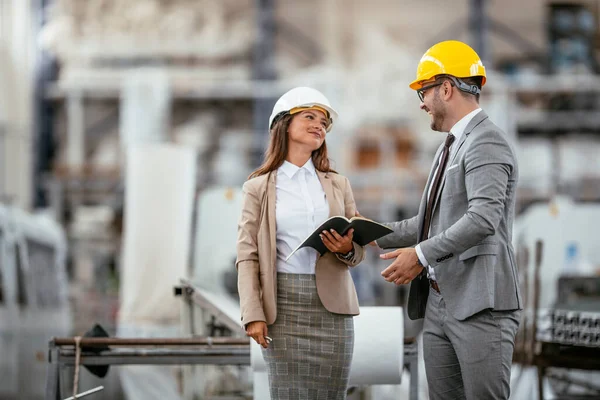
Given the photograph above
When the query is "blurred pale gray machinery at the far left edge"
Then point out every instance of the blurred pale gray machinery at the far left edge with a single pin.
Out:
(33, 299)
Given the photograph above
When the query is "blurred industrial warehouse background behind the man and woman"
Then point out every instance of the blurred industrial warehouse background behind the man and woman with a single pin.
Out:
(130, 123)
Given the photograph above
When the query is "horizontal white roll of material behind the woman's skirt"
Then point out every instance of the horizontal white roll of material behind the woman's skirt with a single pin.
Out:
(378, 351)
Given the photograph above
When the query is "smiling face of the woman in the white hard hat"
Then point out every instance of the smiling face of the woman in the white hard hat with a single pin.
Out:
(308, 129)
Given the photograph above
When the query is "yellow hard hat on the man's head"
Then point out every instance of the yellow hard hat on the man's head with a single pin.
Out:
(449, 58)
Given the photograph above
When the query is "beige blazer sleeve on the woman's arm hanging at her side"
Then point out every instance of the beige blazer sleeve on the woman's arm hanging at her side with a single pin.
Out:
(246, 263)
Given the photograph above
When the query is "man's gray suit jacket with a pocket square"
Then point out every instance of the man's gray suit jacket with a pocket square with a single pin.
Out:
(470, 242)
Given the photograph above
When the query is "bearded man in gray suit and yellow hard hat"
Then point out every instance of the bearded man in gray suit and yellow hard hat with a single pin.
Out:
(462, 271)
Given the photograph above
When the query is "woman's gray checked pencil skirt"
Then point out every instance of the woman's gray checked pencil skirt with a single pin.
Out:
(311, 352)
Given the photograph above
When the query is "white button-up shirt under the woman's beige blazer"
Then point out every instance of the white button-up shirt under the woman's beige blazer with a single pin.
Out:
(300, 208)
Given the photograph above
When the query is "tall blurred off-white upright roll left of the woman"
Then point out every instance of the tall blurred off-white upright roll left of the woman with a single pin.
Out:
(160, 185)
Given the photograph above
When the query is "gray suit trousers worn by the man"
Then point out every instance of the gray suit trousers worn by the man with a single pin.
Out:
(468, 359)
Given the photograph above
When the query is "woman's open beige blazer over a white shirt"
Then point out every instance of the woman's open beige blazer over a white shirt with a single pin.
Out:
(256, 251)
